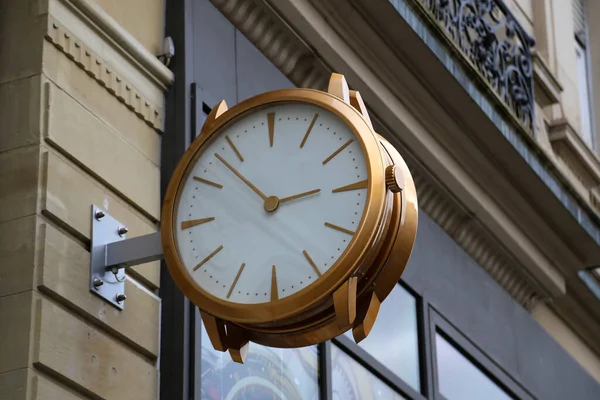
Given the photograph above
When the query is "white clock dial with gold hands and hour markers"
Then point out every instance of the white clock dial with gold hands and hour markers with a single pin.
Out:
(271, 203)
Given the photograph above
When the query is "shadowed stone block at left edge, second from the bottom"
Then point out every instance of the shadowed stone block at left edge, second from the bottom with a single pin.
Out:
(14, 335)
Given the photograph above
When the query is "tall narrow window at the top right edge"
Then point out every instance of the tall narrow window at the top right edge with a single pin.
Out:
(583, 75)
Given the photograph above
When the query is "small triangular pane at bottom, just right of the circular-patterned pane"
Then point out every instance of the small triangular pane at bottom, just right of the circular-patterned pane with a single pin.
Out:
(351, 381)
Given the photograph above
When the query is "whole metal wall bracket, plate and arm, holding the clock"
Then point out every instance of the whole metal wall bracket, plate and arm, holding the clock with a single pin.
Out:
(111, 253)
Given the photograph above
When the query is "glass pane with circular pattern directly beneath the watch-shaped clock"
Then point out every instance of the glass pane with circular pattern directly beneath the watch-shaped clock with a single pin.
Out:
(268, 373)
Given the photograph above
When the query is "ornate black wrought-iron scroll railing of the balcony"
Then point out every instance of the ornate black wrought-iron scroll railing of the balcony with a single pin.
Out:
(492, 39)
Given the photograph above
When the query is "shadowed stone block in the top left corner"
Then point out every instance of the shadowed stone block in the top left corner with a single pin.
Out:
(20, 22)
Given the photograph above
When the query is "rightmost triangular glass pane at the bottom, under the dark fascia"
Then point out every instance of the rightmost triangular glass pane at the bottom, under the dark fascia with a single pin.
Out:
(459, 379)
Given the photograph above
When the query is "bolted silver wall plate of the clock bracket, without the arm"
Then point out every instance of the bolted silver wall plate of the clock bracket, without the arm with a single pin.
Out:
(103, 283)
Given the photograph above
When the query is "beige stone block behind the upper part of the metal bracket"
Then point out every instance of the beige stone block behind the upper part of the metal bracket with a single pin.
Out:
(68, 194)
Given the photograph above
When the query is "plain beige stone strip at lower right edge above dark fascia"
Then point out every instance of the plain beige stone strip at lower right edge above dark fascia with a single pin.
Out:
(568, 339)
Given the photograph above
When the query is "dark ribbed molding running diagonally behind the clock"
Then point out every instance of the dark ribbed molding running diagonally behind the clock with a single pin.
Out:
(269, 34)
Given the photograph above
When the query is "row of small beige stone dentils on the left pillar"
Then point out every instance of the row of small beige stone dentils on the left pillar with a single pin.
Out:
(104, 74)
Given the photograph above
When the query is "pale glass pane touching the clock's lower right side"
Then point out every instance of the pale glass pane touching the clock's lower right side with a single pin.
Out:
(394, 340)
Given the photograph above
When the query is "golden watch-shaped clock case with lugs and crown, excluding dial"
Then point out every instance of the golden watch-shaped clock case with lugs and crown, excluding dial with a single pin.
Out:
(349, 294)
